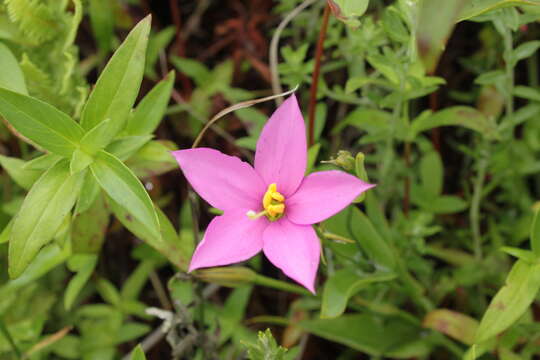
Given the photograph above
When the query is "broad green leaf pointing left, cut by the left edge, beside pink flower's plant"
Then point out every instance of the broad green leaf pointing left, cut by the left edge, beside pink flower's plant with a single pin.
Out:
(40, 122)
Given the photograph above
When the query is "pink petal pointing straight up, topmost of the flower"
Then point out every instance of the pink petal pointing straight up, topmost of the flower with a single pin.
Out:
(281, 155)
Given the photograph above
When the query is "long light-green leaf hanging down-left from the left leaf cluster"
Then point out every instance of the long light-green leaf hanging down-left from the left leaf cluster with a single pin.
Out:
(42, 212)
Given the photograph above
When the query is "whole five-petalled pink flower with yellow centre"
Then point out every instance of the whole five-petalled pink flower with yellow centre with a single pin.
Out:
(272, 206)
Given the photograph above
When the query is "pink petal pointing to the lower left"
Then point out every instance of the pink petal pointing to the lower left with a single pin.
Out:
(229, 238)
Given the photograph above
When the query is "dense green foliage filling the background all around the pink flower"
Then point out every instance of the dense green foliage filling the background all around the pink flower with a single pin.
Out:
(433, 262)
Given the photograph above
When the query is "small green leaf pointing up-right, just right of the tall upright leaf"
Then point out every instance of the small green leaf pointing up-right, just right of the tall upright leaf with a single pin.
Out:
(151, 109)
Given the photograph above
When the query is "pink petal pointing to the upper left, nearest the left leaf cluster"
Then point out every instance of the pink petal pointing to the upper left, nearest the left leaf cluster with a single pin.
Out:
(224, 181)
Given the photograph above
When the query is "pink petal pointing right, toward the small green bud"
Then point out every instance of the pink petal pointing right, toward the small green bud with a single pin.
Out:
(323, 194)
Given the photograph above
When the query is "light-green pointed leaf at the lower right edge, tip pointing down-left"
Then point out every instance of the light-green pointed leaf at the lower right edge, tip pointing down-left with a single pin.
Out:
(512, 300)
